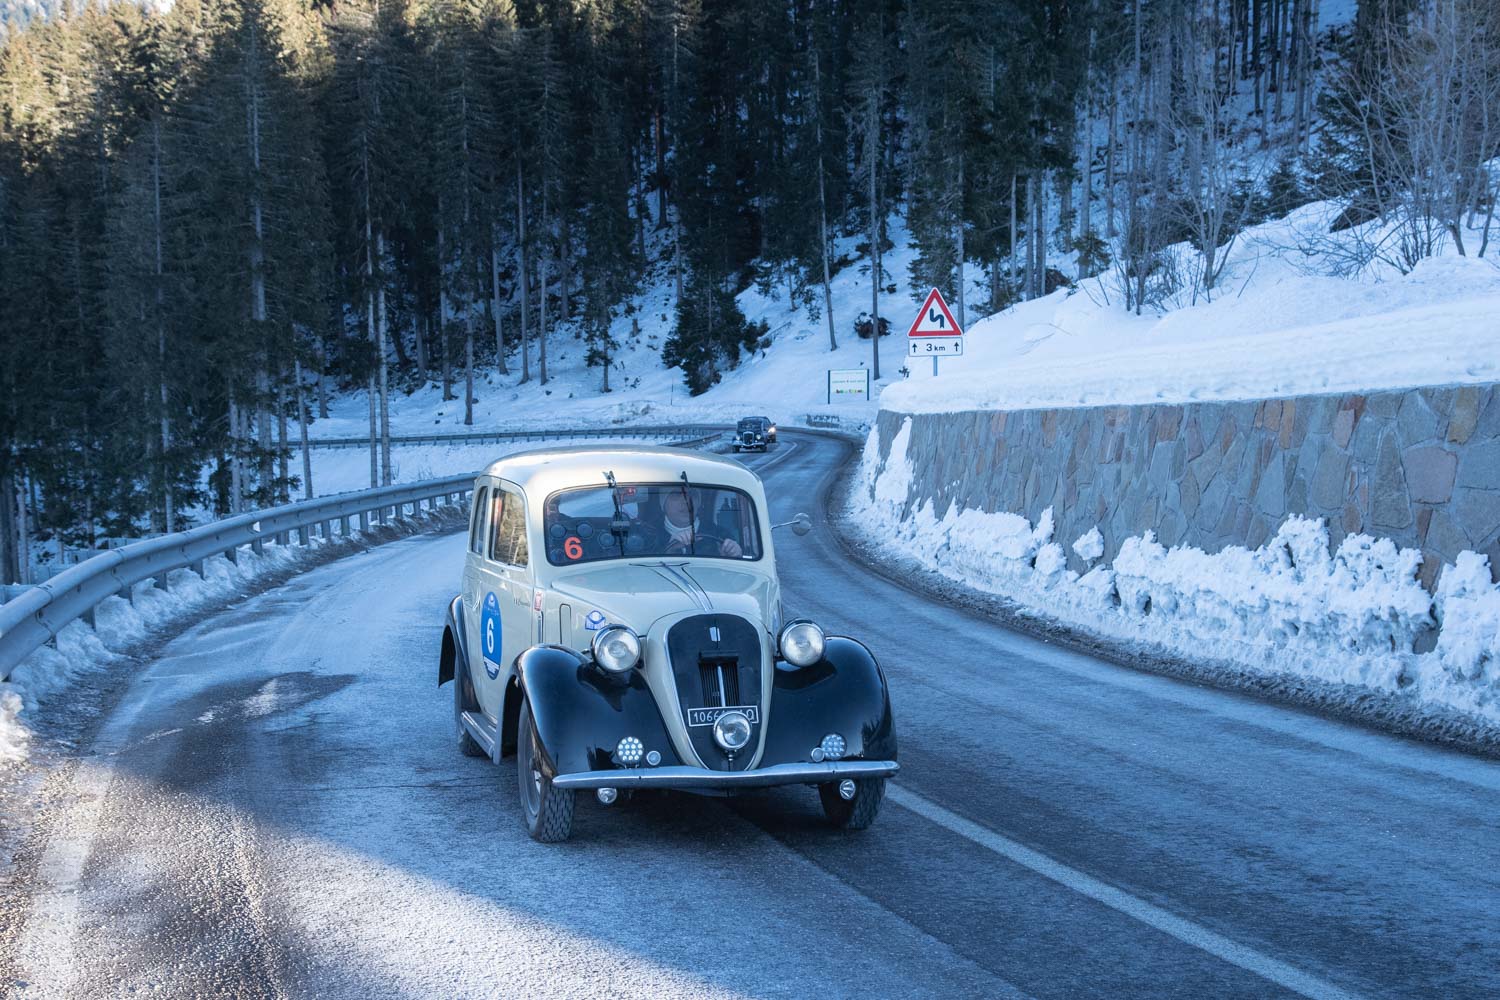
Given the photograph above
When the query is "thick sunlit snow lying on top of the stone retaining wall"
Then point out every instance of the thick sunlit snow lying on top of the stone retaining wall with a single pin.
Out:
(1276, 328)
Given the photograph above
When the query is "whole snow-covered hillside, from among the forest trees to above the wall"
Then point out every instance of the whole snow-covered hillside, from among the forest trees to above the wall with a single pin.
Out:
(1279, 325)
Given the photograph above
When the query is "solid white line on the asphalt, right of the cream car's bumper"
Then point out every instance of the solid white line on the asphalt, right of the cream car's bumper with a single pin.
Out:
(1184, 930)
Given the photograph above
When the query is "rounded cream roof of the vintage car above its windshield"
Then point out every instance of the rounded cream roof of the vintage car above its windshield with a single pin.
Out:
(550, 470)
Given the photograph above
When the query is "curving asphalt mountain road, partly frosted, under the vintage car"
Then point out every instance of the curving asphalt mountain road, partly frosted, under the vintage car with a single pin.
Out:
(277, 807)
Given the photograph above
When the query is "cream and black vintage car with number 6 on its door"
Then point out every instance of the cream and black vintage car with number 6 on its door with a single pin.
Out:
(620, 627)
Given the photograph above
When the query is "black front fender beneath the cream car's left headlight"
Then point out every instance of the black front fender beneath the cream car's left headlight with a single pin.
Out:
(581, 716)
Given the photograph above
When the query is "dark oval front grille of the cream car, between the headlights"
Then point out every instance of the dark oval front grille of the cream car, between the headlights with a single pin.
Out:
(716, 665)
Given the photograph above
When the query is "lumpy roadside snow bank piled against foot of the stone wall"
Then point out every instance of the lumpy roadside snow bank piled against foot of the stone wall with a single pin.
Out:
(1349, 617)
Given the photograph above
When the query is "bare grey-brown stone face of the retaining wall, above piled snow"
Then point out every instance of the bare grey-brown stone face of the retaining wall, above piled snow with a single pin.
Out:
(1420, 467)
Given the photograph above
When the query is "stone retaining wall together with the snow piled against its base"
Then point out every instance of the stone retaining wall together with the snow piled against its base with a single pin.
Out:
(1346, 539)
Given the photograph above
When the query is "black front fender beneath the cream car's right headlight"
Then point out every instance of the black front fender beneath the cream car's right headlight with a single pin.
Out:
(844, 693)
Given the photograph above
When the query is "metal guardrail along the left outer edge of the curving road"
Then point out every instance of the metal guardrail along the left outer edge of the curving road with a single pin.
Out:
(38, 614)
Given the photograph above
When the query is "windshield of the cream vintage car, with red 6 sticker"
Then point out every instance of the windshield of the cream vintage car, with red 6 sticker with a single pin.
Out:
(634, 521)
